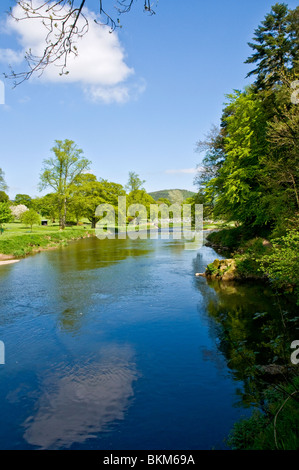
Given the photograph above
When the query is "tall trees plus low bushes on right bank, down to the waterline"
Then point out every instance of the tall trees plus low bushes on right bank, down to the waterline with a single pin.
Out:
(250, 170)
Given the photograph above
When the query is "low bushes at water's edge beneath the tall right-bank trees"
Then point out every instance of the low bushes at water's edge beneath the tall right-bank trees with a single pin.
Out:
(274, 259)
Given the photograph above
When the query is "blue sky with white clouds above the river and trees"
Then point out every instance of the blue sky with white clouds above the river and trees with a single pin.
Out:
(137, 100)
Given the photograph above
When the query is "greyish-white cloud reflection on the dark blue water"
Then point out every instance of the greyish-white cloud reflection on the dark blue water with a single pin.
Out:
(76, 404)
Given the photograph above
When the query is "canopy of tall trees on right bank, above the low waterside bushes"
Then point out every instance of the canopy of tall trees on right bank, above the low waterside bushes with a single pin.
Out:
(249, 173)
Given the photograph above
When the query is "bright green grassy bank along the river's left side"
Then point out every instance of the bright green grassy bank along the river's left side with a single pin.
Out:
(18, 241)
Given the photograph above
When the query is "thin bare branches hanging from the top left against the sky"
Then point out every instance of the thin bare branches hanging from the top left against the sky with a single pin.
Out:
(65, 22)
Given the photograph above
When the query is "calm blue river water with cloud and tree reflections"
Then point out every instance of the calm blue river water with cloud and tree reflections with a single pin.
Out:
(113, 344)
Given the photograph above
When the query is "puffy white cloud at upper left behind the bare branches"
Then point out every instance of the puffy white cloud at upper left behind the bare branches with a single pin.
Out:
(100, 66)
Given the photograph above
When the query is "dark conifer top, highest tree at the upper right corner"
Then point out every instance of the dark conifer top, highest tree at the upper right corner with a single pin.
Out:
(275, 46)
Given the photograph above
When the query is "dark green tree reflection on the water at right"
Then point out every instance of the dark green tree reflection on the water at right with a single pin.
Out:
(251, 329)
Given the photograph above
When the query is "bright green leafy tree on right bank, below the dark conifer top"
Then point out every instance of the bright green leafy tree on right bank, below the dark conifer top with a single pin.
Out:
(236, 189)
